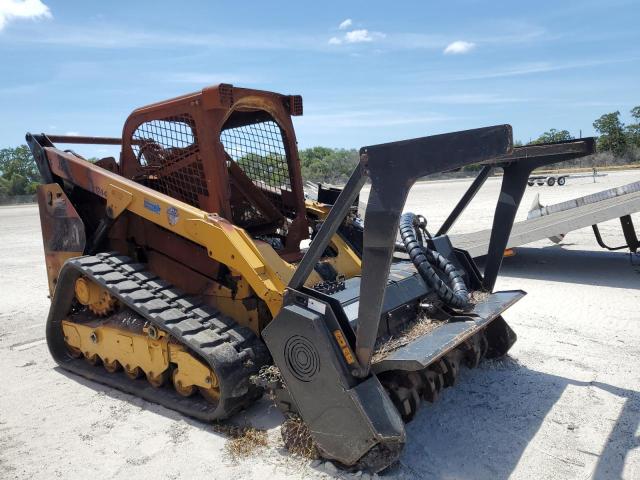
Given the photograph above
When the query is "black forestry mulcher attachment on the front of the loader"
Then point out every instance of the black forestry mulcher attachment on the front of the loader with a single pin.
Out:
(357, 359)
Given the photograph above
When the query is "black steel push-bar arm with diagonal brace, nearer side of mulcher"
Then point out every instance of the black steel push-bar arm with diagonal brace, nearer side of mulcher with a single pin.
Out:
(393, 168)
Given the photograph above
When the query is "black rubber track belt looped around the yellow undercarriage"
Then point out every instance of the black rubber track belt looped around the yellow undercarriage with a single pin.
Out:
(235, 353)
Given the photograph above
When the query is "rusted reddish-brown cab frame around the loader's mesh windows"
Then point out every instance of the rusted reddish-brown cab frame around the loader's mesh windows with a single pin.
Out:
(210, 109)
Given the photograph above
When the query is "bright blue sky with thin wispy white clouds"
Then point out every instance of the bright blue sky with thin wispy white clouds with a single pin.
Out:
(368, 71)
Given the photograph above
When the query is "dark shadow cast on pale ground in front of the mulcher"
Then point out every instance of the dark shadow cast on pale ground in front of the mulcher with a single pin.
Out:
(480, 428)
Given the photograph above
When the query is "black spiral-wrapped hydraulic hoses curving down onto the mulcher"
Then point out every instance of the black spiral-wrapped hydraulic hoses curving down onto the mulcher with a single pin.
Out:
(455, 293)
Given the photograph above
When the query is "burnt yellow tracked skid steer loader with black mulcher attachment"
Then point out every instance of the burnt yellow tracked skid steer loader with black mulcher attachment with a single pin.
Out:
(180, 271)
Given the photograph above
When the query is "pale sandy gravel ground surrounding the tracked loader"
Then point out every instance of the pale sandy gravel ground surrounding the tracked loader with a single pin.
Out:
(565, 404)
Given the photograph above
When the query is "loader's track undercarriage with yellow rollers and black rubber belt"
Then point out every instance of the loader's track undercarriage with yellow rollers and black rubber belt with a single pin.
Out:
(160, 333)
